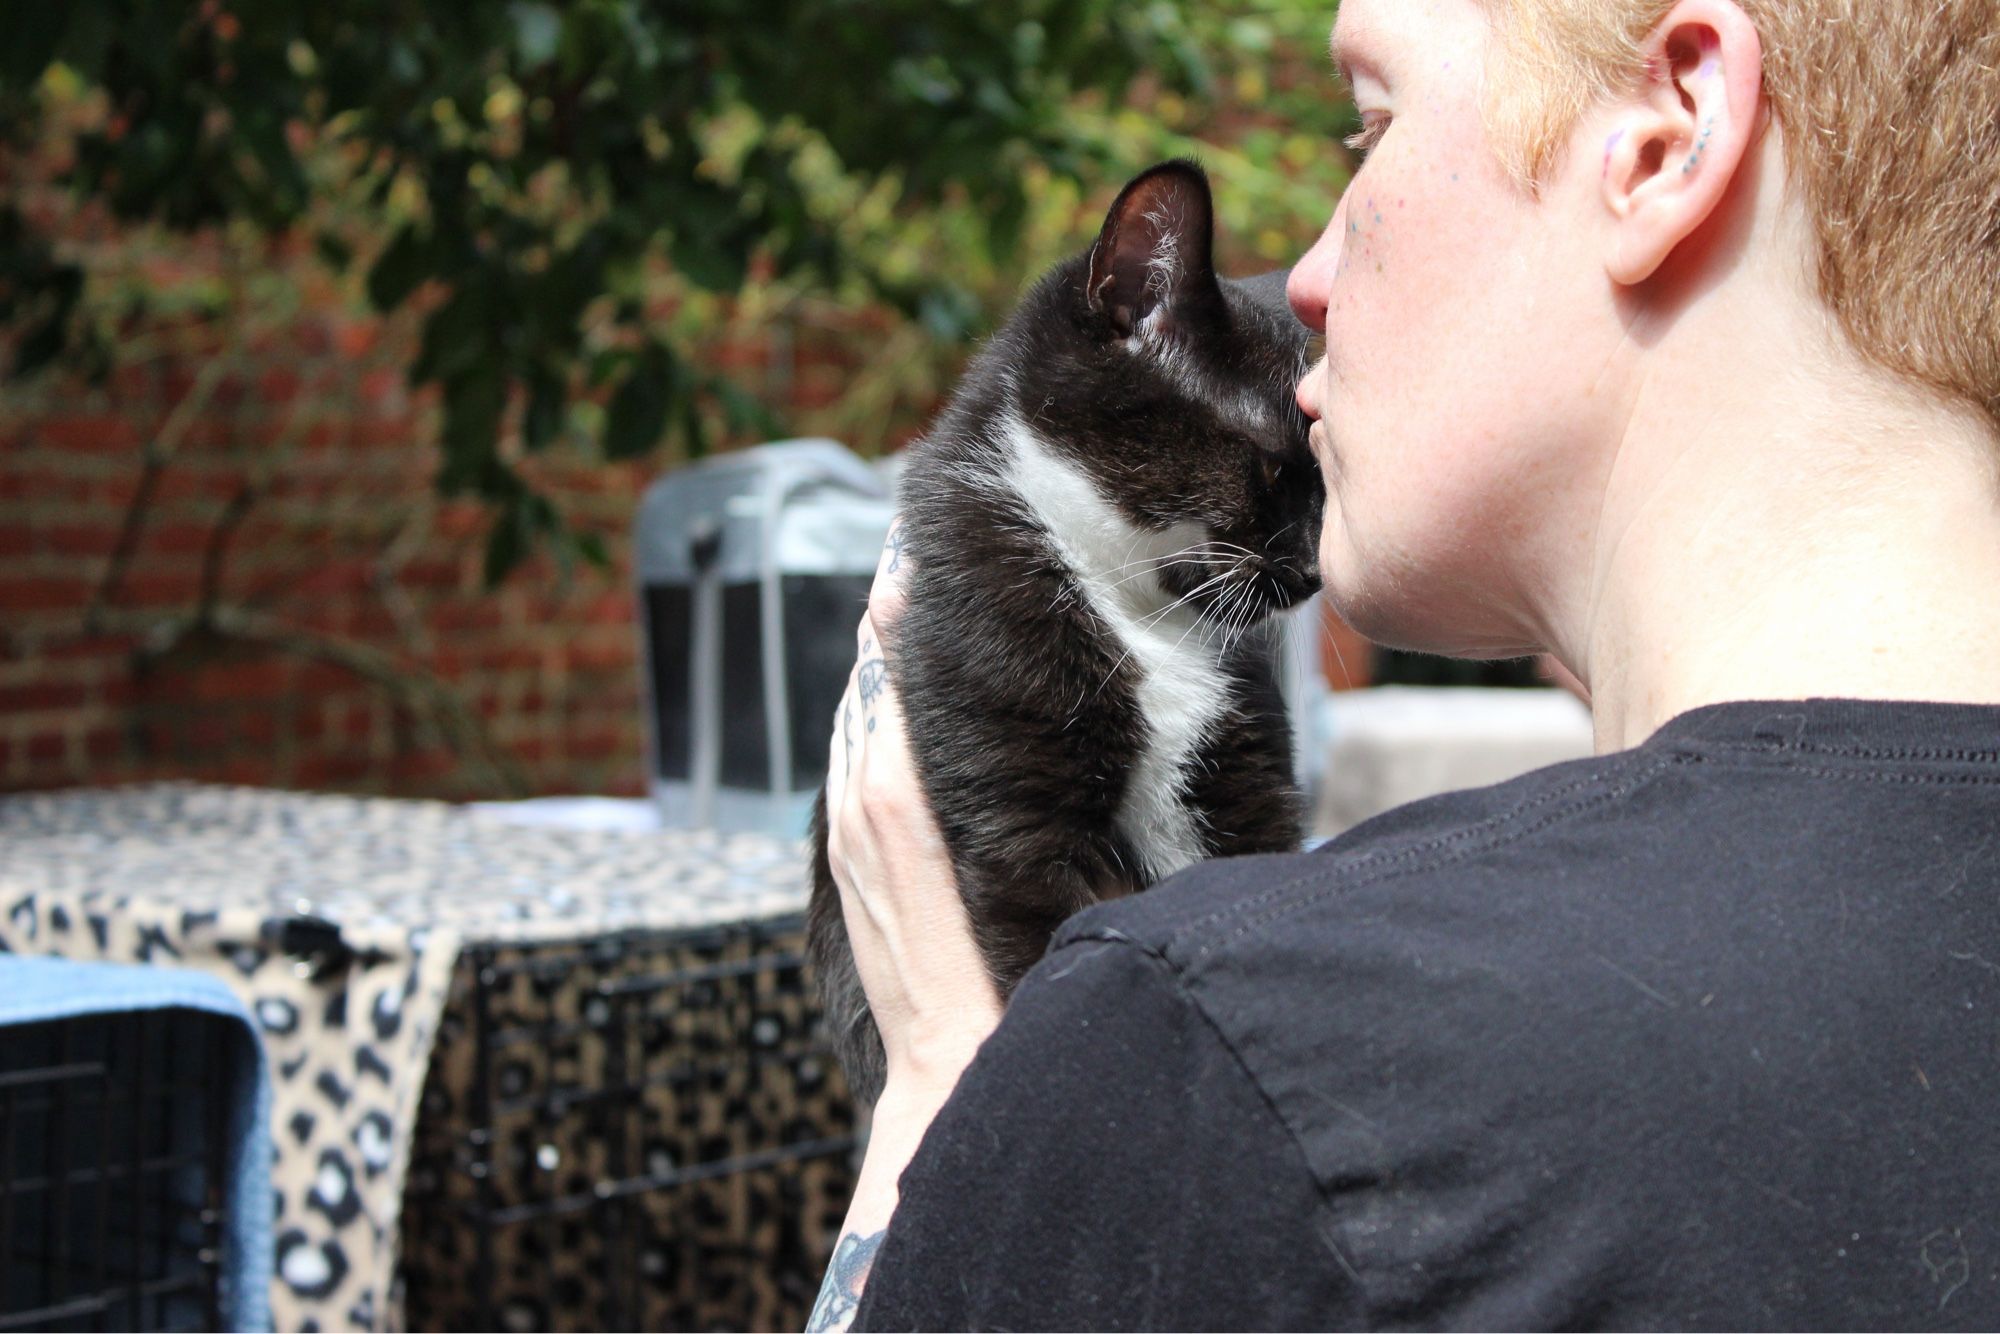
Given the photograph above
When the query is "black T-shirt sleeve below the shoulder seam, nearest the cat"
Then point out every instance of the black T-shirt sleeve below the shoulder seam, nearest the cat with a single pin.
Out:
(1107, 1163)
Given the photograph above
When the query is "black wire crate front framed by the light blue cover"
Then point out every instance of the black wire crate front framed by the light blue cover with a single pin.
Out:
(113, 1153)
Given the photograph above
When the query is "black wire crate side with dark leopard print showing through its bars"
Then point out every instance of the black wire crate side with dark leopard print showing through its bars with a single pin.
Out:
(639, 1131)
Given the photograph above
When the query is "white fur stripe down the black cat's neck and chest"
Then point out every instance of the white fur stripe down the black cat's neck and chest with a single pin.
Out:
(1183, 689)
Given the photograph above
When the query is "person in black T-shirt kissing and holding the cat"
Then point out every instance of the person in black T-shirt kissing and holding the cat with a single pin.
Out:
(1661, 337)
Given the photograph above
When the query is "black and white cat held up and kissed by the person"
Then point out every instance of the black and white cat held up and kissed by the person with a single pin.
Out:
(1113, 501)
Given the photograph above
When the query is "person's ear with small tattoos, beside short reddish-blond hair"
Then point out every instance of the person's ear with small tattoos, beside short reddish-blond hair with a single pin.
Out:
(1679, 137)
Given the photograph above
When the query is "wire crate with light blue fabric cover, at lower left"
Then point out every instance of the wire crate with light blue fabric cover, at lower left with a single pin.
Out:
(133, 1151)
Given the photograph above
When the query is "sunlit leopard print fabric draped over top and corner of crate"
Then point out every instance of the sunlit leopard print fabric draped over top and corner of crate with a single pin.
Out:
(253, 885)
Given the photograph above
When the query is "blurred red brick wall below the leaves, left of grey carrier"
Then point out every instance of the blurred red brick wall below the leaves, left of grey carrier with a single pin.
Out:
(351, 641)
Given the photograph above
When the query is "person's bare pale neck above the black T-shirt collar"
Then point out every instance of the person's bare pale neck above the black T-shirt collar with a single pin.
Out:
(1817, 535)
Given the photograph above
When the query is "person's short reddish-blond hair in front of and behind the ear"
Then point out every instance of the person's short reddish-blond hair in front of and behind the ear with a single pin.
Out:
(1891, 123)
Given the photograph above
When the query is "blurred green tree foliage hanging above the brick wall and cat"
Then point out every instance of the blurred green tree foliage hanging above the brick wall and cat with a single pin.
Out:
(577, 195)
